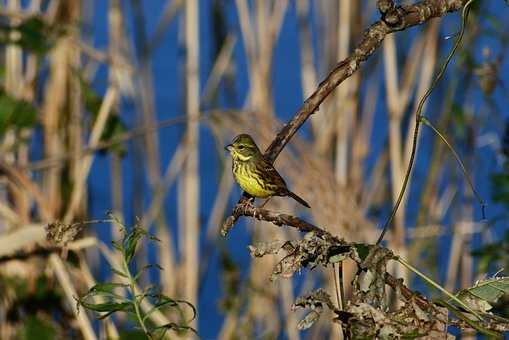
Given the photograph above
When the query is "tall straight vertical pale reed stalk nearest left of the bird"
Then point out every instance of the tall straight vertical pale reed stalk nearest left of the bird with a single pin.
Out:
(190, 207)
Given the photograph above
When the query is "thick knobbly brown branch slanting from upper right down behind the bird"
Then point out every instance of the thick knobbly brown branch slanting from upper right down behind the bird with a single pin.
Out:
(401, 18)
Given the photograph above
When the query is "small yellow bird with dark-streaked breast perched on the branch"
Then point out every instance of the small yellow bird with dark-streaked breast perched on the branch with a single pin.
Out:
(254, 173)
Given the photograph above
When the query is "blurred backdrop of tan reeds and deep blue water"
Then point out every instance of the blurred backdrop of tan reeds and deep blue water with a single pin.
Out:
(125, 105)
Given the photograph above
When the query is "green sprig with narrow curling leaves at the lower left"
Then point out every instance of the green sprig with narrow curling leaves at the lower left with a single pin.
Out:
(112, 299)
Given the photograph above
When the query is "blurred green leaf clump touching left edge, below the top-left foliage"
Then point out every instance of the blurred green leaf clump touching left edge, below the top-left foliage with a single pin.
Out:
(15, 114)
